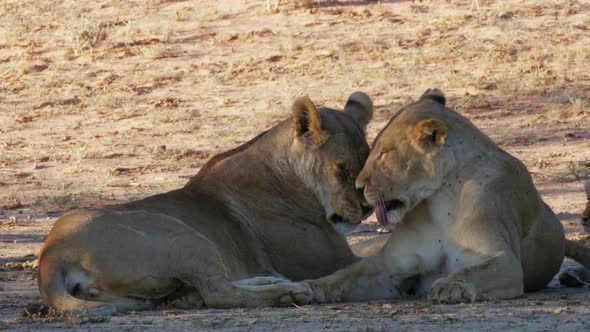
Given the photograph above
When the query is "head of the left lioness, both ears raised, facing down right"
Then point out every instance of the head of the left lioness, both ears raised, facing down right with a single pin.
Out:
(328, 151)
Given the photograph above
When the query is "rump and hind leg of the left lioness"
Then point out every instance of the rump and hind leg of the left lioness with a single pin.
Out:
(149, 256)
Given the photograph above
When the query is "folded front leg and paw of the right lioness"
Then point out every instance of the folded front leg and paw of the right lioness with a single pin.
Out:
(497, 277)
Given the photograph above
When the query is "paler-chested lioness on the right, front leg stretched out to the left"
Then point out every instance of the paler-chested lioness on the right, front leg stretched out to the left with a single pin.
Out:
(468, 223)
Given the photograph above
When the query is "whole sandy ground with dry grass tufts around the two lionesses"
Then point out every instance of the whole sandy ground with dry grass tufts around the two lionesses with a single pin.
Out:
(103, 102)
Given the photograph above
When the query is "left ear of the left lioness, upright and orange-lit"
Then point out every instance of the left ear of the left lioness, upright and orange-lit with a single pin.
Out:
(308, 123)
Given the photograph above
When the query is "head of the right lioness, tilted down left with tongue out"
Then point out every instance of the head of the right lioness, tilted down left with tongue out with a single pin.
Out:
(405, 163)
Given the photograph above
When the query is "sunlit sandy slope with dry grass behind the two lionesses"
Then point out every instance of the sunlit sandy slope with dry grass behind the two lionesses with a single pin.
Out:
(190, 77)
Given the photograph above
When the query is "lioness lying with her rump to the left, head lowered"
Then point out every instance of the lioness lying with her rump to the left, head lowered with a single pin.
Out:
(270, 208)
